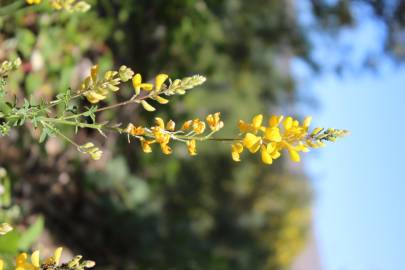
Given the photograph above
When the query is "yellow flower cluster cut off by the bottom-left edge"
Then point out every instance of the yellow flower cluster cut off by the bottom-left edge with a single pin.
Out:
(51, 263)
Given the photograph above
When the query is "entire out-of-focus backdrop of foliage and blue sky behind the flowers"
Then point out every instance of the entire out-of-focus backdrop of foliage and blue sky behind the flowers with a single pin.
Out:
(340, 61)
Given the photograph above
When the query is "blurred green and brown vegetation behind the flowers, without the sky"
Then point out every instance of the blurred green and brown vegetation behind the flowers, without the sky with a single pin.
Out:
(136, 211)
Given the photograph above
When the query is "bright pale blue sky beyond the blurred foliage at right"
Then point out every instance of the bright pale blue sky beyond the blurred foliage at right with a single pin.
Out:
(360, 180)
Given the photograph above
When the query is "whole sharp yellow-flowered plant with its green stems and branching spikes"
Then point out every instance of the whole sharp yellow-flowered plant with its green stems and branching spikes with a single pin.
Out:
(279, 134)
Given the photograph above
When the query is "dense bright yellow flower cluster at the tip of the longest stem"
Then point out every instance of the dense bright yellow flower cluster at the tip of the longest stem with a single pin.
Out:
(281, 134)
